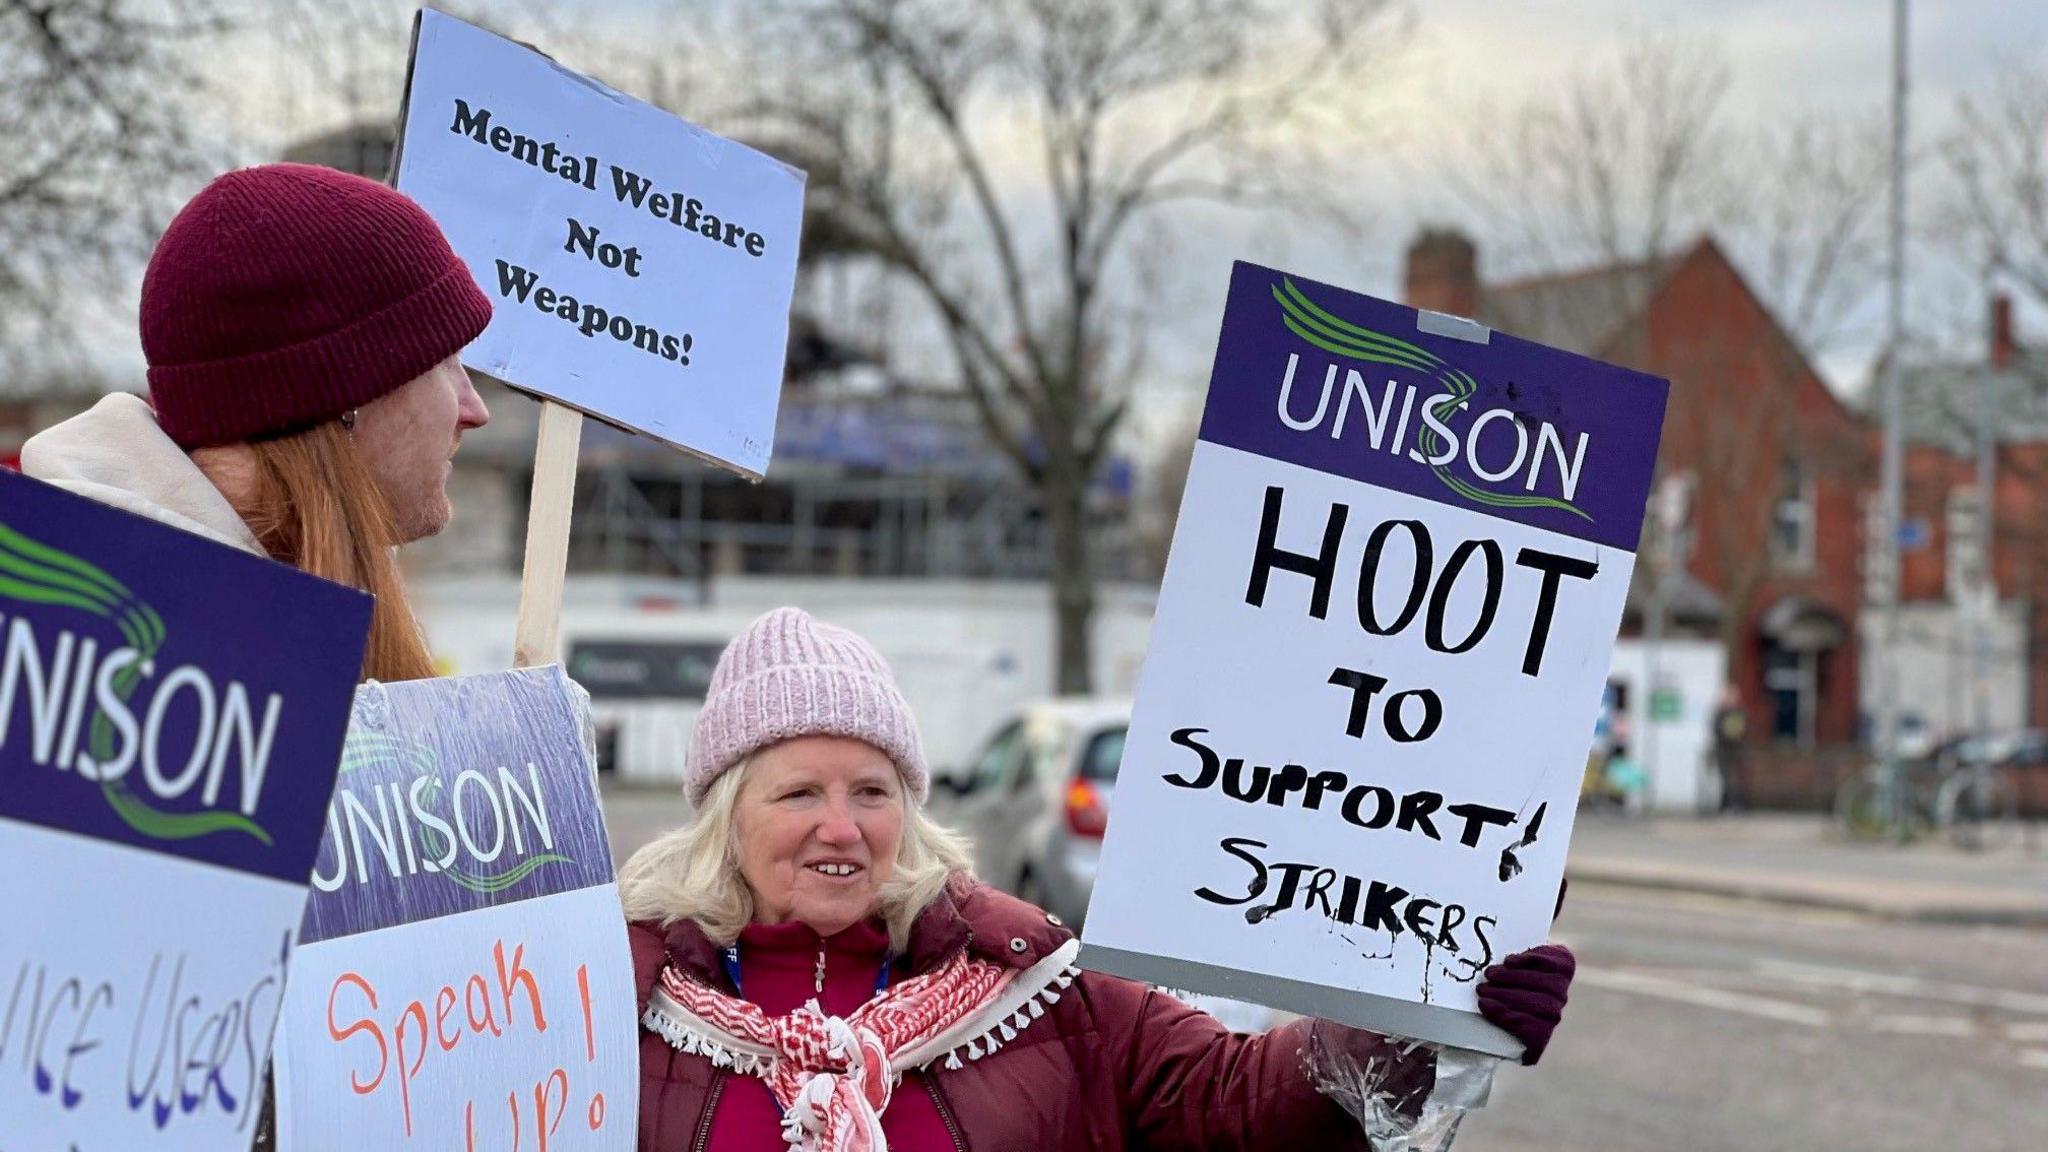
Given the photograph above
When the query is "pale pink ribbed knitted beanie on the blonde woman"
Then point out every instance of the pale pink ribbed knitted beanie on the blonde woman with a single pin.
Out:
(790, 675)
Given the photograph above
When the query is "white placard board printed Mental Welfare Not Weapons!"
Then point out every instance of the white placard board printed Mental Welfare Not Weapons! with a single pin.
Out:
(640, 268)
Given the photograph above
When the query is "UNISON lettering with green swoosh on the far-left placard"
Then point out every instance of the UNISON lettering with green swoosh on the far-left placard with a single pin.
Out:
(91, 698)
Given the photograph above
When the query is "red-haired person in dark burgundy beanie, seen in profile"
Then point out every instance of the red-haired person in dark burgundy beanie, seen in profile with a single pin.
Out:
(306, 399)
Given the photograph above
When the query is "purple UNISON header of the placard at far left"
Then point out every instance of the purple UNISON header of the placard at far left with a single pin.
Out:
(167, 692)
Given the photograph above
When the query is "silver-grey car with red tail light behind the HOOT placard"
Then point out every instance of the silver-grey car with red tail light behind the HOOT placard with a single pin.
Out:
(1037, 800)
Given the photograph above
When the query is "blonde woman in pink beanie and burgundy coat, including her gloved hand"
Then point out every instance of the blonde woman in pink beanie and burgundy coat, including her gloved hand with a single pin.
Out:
(818, 969)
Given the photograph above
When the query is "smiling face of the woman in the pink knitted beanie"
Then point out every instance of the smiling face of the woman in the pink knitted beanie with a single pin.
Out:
(818, 823)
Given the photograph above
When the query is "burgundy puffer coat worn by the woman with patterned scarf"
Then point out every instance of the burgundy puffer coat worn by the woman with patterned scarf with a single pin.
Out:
(1111, 1067)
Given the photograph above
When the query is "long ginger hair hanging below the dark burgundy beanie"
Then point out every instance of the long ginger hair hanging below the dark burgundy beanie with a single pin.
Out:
(316, 505)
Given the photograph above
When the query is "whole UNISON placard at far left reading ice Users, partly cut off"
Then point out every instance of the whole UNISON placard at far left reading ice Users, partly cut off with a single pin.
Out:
(171, 721)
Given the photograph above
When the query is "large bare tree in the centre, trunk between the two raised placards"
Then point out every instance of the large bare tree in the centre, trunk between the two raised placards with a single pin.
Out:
(1000, 159)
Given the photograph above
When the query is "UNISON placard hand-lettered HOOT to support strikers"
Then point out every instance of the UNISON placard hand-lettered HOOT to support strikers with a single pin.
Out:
(1377, 661)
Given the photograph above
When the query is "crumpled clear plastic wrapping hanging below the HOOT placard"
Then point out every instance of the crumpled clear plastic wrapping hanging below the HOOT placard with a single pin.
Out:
(1373, 1092)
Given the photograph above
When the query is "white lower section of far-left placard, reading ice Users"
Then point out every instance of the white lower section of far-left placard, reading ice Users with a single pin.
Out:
(138, 1036)
